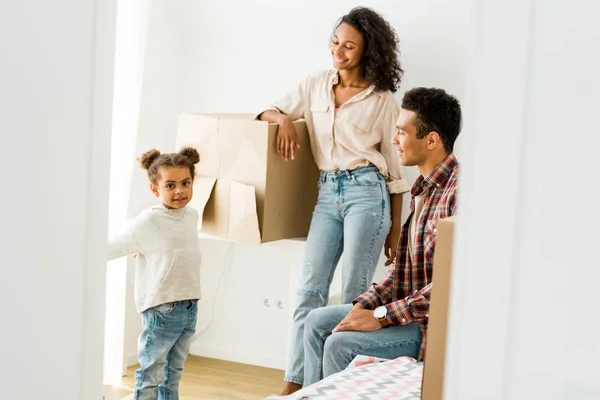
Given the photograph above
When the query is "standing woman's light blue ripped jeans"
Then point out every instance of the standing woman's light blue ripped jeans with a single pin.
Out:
(352, 216)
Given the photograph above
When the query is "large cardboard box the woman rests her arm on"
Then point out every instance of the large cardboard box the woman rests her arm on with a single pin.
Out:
(244, 190)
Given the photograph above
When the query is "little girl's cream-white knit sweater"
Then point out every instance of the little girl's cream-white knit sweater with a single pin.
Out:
(168, 258)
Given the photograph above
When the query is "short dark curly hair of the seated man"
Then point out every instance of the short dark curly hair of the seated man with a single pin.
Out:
(436, 111)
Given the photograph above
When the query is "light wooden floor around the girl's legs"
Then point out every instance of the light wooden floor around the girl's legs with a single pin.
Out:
(205, 378)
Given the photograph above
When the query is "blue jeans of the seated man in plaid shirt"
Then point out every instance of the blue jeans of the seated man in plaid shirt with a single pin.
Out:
(327, 353)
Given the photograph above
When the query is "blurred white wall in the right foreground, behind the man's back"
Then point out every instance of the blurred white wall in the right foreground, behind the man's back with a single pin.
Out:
(523, 320)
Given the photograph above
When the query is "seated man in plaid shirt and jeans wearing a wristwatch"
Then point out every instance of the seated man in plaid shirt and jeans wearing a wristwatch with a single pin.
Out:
(390, 320)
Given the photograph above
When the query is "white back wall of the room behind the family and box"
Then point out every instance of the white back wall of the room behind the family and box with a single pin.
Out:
(236, 56)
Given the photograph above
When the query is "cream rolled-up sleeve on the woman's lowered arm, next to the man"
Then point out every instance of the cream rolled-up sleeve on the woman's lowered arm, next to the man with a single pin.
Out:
(396, 181)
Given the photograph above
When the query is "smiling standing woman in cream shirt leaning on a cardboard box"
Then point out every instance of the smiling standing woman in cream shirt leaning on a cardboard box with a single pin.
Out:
(350, 113)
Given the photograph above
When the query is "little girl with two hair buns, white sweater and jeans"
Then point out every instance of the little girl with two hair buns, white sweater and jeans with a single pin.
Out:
(167, 273)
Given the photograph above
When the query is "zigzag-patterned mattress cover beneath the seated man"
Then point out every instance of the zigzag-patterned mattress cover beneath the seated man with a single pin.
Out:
(368, 378)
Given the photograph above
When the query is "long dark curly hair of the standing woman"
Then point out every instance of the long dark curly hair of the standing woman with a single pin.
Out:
(381, 57)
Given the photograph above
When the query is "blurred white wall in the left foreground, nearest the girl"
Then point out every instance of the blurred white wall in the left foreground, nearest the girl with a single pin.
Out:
(55, 97)
